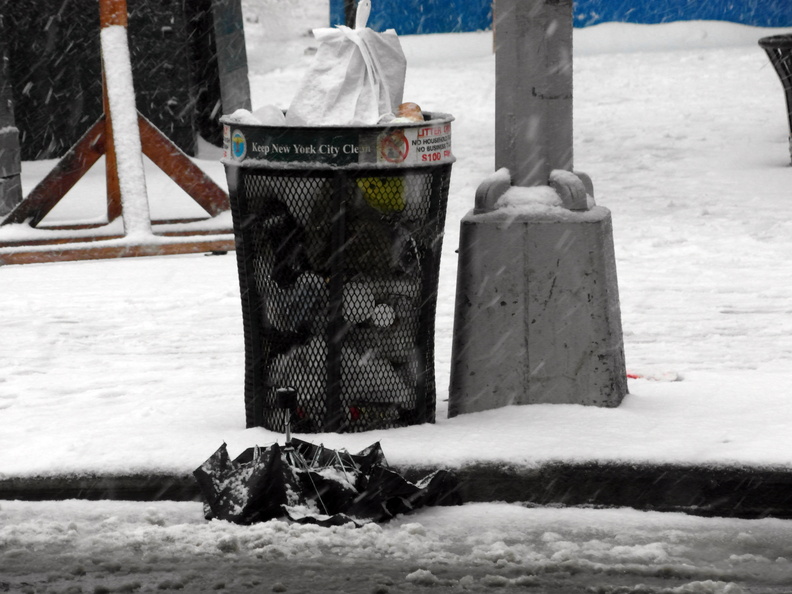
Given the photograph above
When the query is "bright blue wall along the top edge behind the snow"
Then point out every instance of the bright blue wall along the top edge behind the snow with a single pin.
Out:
(443, 16)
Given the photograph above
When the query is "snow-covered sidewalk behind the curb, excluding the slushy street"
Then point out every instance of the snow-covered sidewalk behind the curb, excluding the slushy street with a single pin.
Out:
(136, 365)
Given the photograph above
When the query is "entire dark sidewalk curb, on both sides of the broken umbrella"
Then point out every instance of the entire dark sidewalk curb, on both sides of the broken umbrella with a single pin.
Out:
(739, 492)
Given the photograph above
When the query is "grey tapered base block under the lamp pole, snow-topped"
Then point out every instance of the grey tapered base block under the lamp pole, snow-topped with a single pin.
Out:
(537, 315)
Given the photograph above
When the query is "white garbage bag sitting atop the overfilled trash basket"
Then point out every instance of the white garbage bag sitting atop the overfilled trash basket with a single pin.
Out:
(357, 77)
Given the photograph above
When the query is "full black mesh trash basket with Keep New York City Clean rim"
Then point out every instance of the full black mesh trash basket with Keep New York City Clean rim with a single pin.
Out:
(338, 234)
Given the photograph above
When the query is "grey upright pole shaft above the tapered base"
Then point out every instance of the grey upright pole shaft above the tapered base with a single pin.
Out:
(533, 101)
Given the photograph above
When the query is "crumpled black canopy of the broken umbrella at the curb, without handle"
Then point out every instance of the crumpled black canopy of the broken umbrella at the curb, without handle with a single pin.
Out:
(307, 483)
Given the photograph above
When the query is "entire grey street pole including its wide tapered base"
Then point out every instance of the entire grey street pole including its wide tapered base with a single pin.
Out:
(537, 315)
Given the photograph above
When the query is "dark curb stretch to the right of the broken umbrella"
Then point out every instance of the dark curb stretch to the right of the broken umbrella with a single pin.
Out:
(739, 492)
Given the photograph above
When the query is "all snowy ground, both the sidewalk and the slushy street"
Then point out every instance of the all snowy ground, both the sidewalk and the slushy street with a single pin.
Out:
(136, 365)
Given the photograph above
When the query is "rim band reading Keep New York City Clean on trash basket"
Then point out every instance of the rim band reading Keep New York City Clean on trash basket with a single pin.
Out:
(386, 146)
